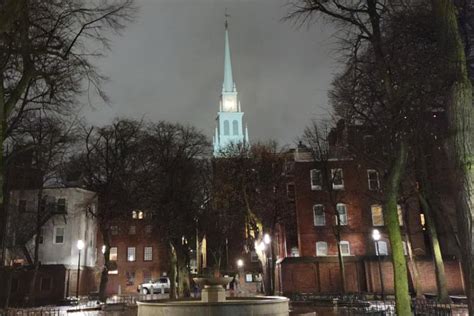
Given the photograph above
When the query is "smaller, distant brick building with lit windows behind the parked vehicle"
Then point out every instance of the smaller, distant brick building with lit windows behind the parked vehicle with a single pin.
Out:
(137, 253)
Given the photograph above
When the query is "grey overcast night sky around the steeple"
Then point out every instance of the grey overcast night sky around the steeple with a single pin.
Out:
(168, 65)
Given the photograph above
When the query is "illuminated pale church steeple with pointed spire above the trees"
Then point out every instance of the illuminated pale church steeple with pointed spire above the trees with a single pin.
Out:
(230, 128)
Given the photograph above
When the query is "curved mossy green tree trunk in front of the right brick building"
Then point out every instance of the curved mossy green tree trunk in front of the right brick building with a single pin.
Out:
(402, 295)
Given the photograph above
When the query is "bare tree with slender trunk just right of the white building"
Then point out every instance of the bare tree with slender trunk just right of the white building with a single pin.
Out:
(109, 167)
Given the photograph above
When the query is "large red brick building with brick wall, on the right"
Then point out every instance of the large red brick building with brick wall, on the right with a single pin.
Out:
(353, 189)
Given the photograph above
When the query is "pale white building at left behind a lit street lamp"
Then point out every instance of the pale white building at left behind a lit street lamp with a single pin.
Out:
(66, 217)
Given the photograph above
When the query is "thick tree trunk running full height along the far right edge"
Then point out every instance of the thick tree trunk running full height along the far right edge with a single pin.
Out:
(461, 122)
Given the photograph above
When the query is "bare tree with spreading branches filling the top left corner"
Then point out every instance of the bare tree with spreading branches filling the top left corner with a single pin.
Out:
(47, 50)
